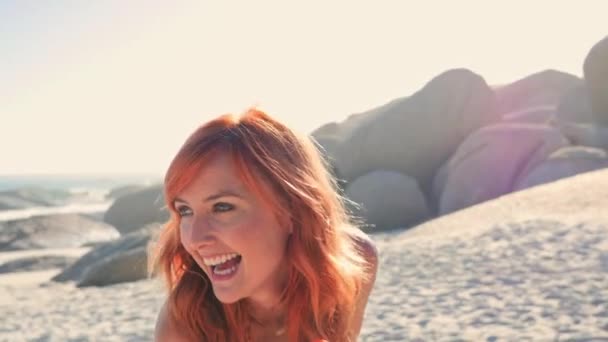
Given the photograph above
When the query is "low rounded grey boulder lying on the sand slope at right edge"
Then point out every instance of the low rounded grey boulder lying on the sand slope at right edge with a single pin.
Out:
(565, 162)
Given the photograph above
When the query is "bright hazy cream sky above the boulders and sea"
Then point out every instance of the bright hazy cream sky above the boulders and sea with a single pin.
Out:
(116, 86)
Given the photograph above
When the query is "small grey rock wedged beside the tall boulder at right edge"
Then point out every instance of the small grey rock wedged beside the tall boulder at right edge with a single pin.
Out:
(574, 106)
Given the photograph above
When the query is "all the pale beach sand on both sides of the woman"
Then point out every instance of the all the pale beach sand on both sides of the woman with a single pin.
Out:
(532, 266)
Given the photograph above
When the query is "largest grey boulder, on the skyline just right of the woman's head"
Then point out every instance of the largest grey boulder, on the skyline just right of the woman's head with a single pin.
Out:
(415, 135)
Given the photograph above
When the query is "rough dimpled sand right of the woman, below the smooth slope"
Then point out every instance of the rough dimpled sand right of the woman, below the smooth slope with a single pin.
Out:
(527, 281)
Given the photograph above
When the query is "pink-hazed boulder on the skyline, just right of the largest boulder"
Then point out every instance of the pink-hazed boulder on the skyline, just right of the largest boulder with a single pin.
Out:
(540, 89)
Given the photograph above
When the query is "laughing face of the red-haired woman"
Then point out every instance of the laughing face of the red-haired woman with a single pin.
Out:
(232, 234)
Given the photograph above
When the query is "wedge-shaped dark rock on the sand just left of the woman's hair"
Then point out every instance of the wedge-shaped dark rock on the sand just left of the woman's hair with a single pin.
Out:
(122, 260)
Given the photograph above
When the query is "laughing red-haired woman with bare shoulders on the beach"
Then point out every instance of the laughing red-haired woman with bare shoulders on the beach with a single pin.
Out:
(258, 246)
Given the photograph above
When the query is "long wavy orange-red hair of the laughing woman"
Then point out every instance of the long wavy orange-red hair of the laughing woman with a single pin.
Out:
(326, 268)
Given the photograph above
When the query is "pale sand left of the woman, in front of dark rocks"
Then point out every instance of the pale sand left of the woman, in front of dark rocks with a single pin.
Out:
(32, 309)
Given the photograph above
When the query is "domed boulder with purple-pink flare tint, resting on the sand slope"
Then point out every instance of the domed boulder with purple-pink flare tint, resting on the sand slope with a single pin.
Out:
(489, 163)
